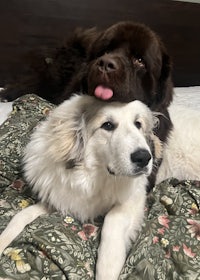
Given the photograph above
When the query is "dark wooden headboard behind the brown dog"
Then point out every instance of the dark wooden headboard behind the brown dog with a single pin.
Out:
(31, 24)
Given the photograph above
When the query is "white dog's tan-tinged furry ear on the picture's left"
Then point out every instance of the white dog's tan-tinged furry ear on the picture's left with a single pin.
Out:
(68, 131)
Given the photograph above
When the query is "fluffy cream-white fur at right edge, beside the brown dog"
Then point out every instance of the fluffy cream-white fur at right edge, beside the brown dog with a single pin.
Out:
(181, 153)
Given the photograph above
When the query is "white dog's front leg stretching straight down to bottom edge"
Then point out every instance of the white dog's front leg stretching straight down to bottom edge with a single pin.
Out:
(120, 225)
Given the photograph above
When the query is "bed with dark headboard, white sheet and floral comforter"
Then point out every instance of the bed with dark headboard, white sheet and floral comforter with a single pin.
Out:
(57, 247)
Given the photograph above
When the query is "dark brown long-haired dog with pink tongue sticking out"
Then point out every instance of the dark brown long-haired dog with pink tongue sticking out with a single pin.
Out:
(125, 62)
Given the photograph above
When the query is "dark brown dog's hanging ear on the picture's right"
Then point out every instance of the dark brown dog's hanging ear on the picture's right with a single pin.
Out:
(165, 84)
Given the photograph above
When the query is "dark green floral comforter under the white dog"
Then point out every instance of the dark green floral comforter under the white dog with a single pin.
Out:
(57, 247)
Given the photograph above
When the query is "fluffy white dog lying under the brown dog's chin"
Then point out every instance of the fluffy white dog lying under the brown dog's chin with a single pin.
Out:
(92, 158)
